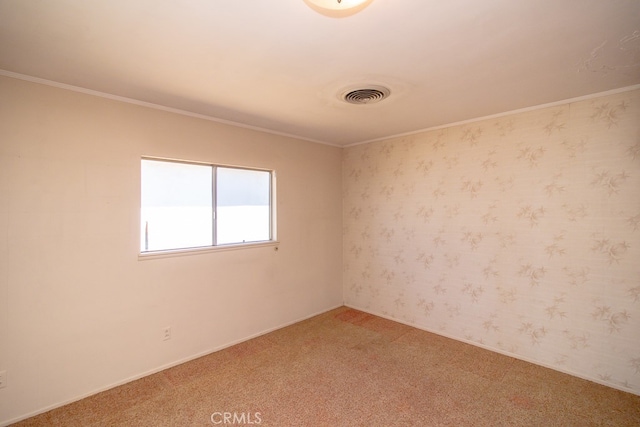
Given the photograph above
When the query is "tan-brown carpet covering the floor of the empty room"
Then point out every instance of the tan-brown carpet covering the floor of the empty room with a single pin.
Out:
(349, 368)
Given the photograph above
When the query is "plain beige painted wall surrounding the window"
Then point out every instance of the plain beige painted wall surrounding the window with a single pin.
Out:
(78, 311)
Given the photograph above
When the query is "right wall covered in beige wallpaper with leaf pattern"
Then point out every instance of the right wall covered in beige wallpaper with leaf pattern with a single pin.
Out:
(520, 234)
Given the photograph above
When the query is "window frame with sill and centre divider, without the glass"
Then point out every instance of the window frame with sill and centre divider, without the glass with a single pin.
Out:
(215, 247)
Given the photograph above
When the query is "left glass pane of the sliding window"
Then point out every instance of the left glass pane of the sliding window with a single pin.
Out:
(176, 206)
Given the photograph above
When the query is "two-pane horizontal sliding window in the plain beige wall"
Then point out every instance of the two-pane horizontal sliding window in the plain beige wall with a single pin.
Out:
(190, 205)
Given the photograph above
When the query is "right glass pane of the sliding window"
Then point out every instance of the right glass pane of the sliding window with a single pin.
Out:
(242, 204)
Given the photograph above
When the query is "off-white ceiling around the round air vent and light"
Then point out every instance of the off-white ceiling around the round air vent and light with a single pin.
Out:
(280, 66)
